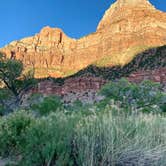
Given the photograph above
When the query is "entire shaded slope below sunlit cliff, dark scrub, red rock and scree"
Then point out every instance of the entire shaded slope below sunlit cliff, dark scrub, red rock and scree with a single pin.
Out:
(84, 85)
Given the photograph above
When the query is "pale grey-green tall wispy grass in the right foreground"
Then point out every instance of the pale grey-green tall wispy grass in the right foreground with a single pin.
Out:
(121, 140)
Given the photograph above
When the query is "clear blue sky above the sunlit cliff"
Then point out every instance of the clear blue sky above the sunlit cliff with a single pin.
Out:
(22, 18)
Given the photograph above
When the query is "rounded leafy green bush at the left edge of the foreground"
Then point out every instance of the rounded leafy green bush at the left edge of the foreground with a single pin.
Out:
(12, 131)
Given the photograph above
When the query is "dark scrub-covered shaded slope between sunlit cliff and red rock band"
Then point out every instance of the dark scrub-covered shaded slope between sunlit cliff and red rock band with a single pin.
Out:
(150, 59)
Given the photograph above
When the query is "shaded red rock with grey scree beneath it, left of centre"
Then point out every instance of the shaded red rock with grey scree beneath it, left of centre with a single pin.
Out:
(80, 88)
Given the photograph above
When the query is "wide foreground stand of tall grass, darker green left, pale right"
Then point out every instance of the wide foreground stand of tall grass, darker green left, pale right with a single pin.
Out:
(108, 138)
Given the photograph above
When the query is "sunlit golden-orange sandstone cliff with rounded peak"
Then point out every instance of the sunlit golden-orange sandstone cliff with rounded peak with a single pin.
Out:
(127, 28)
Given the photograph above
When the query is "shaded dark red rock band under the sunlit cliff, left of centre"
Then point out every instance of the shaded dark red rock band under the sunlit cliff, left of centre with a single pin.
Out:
(73, 85)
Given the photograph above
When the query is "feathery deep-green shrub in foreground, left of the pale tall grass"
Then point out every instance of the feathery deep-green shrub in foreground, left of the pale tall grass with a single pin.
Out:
(49, 141)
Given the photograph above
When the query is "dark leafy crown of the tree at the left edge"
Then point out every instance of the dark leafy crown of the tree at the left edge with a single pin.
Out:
(12, 77)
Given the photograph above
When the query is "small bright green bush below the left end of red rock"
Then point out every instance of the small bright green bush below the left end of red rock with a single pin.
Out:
(46, 105)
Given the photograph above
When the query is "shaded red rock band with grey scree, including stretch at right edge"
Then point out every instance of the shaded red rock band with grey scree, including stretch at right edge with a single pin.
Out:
(85, 88)
